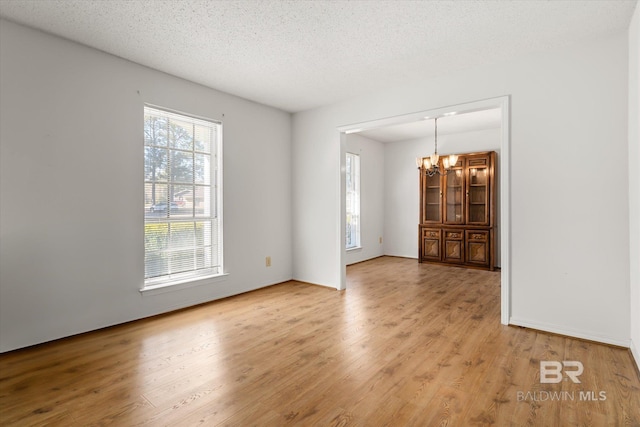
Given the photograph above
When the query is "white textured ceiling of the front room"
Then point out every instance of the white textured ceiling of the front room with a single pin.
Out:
(297, 55)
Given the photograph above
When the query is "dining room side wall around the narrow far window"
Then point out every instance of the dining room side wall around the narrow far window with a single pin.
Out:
(371, 197)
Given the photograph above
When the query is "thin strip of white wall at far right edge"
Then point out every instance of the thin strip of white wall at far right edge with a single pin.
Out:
(634, 179)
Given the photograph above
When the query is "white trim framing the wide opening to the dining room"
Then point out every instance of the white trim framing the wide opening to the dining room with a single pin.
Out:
(502, 102)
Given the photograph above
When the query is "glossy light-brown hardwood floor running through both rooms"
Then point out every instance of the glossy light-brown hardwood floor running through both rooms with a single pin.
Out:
(407, 344)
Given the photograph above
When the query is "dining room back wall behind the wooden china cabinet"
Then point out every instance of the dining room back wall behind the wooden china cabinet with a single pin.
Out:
(402, 187)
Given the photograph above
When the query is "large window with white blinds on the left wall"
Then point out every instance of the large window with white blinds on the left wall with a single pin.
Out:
(182, 221)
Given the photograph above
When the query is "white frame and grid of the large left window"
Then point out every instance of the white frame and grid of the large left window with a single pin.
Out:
(205, 265)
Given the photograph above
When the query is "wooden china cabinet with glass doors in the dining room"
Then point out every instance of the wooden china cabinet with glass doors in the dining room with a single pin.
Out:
(457, 213)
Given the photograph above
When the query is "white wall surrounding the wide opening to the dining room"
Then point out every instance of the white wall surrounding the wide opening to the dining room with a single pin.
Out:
(569, 227)
